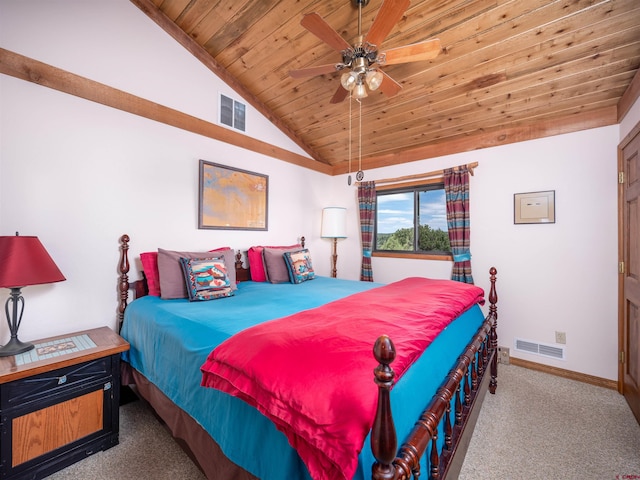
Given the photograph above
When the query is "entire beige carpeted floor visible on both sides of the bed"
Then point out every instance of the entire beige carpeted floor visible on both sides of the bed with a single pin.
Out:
(537, 426)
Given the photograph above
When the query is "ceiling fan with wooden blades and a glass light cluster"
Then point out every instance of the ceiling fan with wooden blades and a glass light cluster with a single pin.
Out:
(360, 60)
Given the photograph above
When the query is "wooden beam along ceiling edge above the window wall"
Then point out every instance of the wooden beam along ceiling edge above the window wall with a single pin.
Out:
(501, 136)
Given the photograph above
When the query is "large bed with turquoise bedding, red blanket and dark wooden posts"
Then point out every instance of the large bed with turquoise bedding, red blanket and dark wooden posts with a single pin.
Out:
(183, 358)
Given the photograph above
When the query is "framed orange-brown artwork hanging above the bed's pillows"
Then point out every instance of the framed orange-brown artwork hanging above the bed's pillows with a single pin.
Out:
(231, 198)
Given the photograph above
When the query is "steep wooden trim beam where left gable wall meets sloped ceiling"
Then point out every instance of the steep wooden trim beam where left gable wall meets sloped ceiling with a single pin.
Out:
(155, 14)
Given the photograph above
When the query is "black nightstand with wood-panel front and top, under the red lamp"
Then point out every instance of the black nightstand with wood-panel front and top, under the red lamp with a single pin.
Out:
(59, 402)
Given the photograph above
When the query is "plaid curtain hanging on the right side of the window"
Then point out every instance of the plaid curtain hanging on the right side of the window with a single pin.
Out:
(456, 187)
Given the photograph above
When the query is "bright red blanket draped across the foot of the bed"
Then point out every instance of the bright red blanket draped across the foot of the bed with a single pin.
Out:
(312, 373)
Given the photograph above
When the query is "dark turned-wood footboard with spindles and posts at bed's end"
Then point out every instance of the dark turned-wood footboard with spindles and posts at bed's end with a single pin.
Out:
(475, 372)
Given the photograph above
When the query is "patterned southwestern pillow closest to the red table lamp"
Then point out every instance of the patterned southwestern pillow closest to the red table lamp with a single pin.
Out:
(206, 278)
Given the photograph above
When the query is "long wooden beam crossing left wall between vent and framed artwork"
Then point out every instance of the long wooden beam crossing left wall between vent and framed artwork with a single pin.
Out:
(31, 70)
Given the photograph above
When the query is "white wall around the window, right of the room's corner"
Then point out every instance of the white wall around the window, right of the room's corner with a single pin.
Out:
(556, 277)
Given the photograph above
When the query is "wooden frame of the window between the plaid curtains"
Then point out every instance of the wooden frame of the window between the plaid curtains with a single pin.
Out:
(412, 187)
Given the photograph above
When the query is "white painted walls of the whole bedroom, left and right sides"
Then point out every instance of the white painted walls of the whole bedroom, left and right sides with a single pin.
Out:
(79, 174)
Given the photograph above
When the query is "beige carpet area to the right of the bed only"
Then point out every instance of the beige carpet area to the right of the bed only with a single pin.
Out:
(539, 426)
